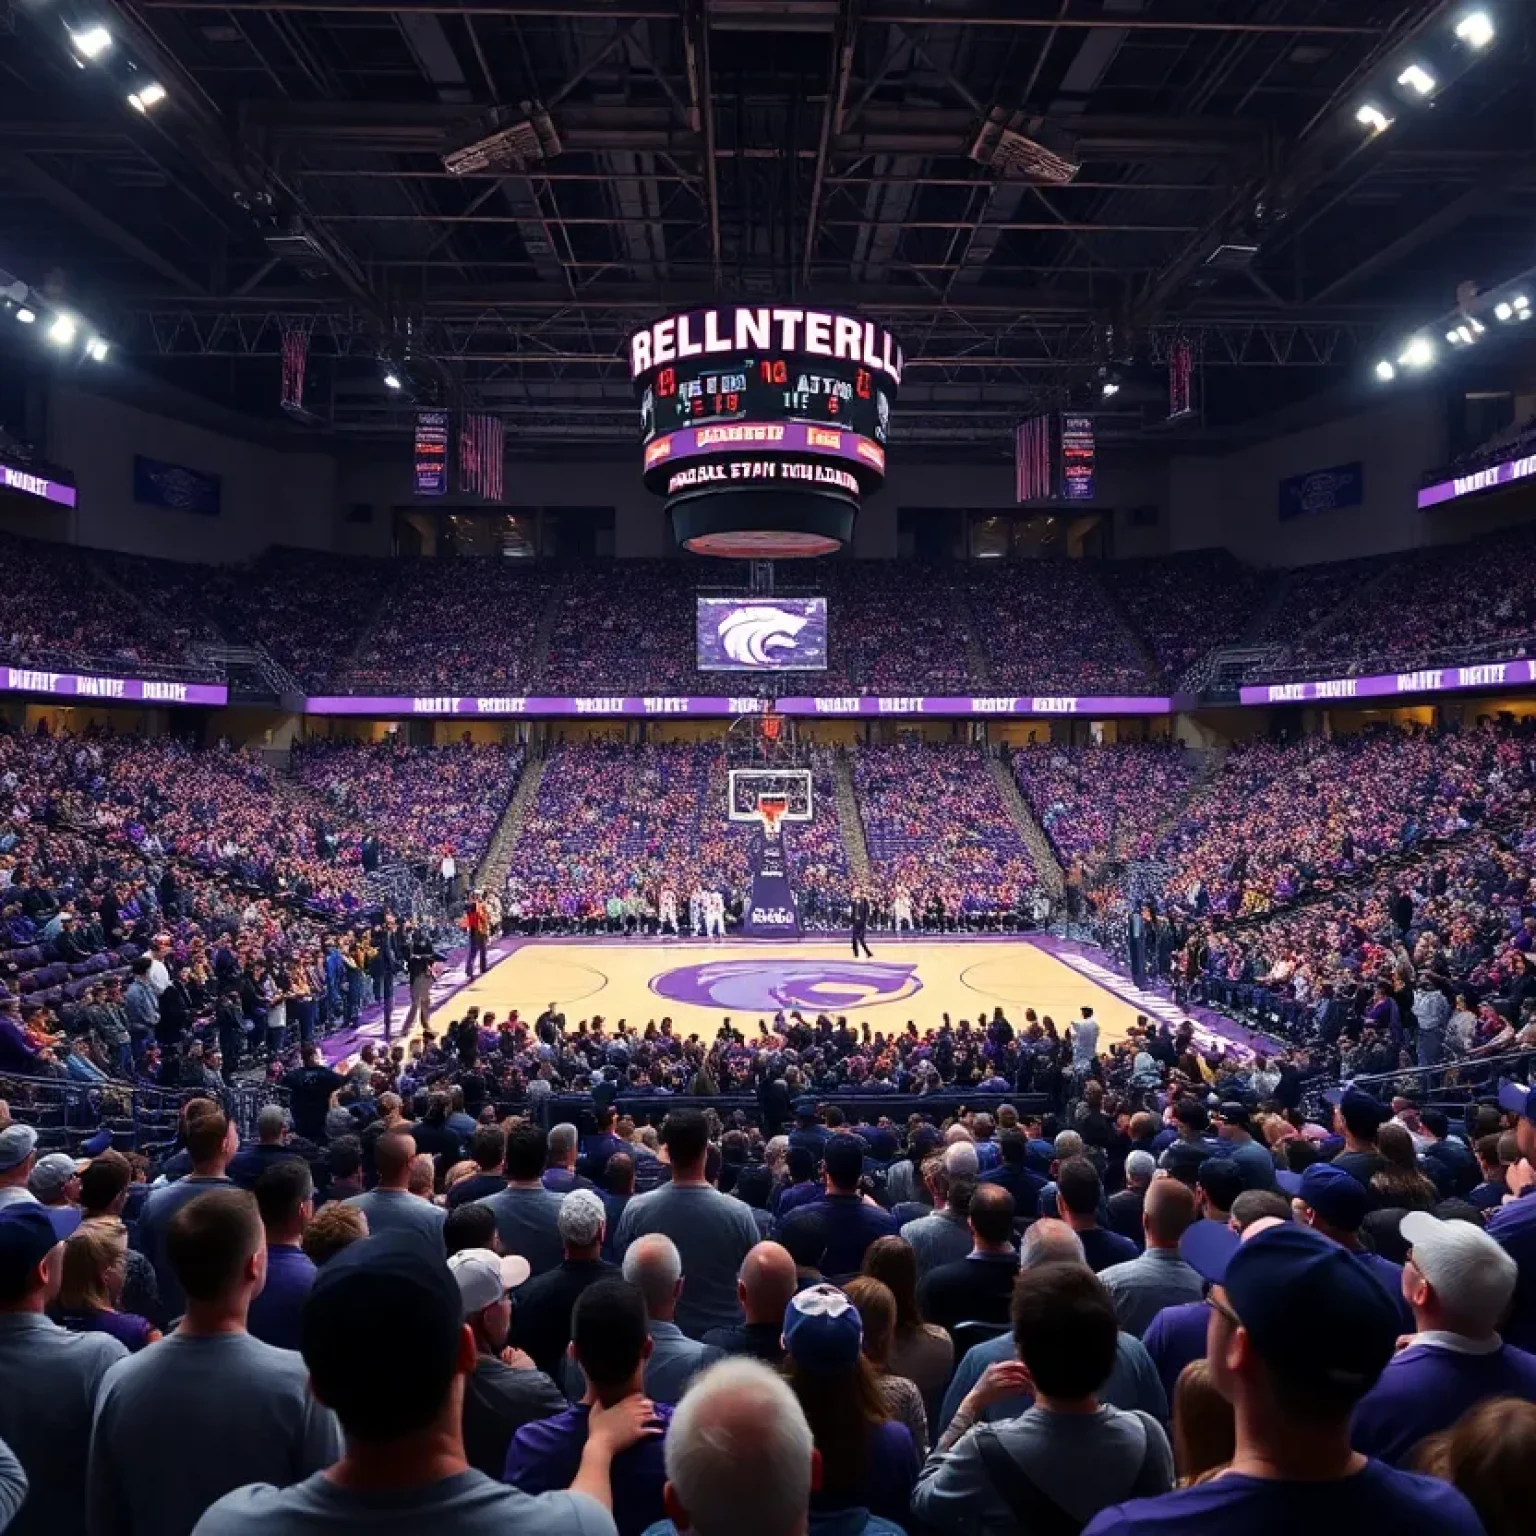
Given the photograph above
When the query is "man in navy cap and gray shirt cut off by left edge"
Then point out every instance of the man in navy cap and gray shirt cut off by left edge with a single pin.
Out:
(48, 1379)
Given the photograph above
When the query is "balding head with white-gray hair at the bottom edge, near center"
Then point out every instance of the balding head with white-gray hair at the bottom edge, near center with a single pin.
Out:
(740, 1457)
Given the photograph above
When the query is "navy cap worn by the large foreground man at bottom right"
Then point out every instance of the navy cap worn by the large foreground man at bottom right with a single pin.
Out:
(1316, 1314)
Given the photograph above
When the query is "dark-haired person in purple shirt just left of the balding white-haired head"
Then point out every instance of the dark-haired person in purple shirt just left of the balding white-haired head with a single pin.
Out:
(612, 1345)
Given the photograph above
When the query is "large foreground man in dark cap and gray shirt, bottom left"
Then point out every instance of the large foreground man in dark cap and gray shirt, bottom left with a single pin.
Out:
(402, 1414)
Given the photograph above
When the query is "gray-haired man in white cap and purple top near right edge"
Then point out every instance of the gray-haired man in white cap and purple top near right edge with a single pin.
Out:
(1458, 1282)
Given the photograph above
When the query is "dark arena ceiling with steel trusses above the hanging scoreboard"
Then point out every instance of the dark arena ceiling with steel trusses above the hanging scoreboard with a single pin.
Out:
(855, 153)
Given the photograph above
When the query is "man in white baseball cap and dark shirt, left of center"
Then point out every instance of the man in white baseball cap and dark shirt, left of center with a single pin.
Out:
(506, 1389)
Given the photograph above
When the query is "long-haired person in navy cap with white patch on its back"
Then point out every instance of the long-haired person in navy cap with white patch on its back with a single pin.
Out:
(869, 1460)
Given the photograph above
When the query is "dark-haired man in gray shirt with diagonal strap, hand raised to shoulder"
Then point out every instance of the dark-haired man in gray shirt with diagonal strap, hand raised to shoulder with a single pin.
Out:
(1068, 1457)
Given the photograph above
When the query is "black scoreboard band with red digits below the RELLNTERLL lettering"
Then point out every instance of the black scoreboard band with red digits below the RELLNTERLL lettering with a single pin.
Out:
(766, 389)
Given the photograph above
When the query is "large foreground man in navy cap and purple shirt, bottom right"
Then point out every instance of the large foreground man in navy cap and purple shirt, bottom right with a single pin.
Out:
(1299, 1334)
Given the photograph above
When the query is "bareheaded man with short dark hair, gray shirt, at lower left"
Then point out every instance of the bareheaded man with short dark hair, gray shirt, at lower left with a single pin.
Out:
(208, 1409)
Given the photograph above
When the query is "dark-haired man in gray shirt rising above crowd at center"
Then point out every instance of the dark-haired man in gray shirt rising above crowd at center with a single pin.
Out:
(712, 1231)
